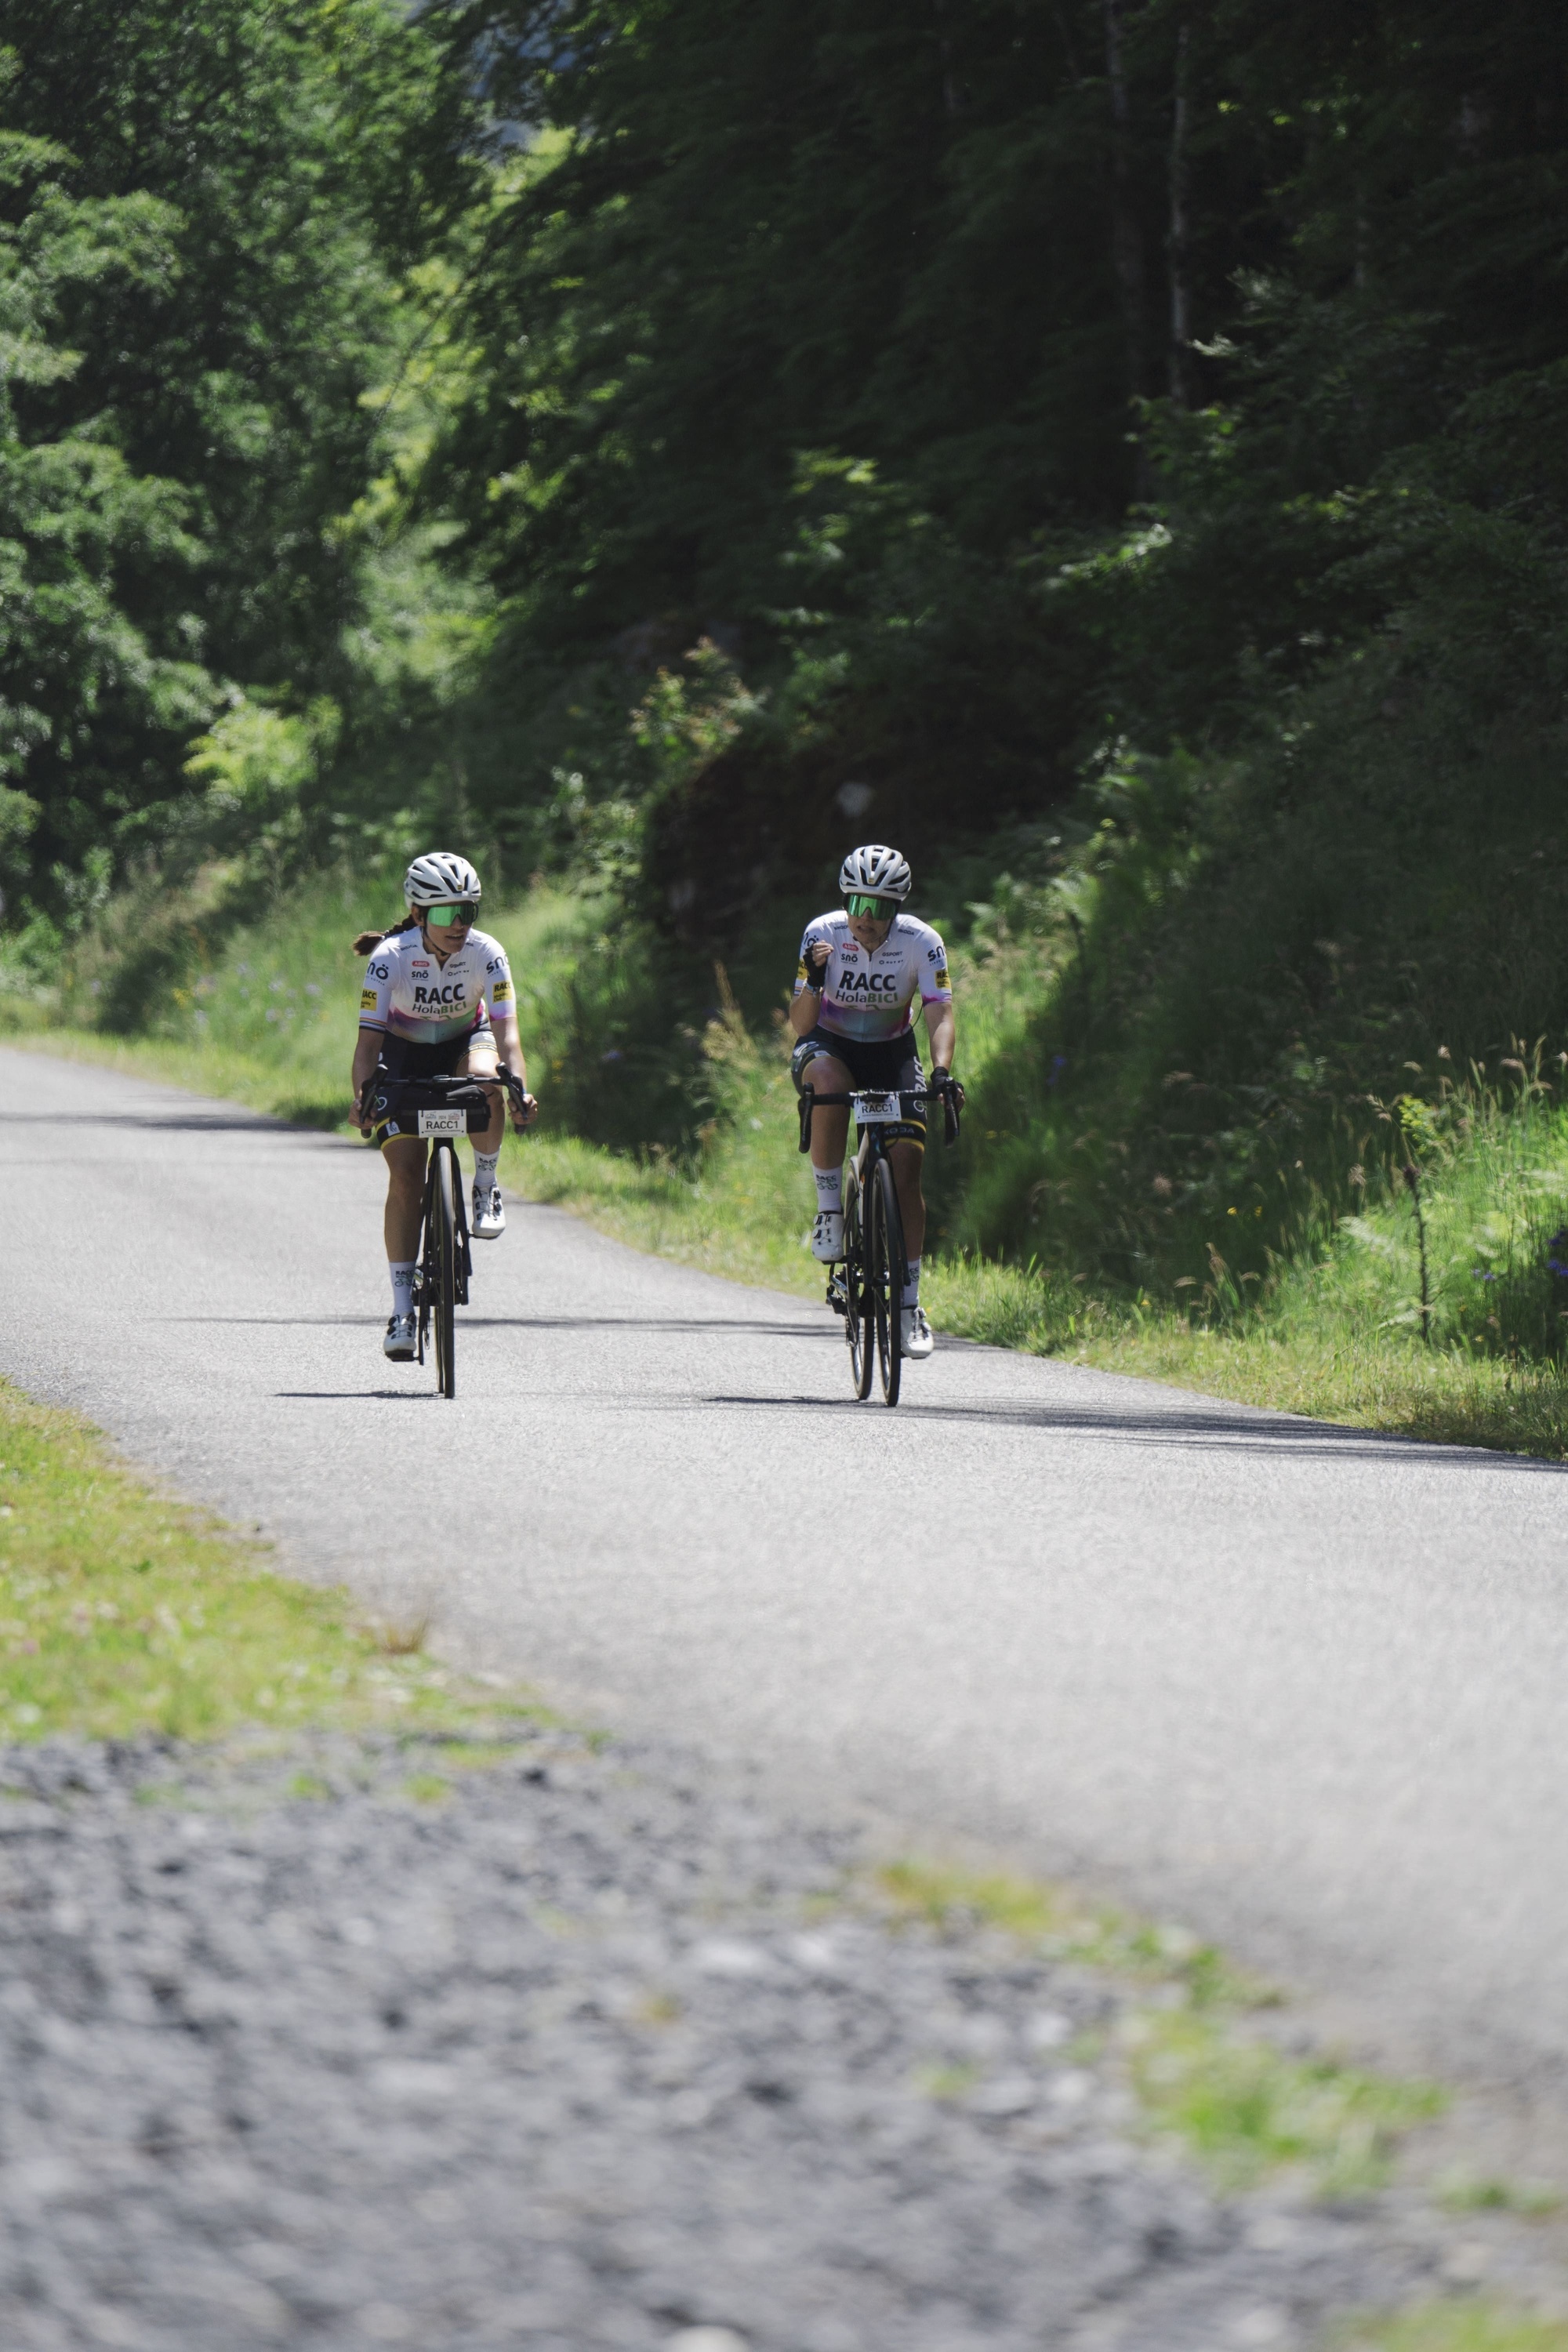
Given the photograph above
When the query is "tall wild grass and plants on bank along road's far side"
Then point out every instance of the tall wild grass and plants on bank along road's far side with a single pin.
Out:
(1334, 1325)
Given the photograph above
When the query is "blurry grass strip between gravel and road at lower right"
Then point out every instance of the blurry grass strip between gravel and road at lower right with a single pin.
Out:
(1200, 2071)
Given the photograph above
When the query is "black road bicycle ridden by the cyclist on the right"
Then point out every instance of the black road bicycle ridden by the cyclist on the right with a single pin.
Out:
(866, 1285)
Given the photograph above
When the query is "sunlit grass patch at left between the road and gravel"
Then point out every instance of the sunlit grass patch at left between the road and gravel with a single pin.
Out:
(126, 1612)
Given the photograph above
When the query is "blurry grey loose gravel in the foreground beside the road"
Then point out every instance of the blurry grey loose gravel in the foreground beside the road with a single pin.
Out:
(591, 2054)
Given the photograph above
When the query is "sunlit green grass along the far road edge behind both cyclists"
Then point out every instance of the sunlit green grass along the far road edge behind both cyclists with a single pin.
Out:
(1334, 1332)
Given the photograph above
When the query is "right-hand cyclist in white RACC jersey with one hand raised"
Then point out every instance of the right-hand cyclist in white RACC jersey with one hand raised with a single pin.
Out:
(855, 1017)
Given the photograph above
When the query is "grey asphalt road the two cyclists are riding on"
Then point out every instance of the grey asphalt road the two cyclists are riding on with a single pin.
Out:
(1289, 1685)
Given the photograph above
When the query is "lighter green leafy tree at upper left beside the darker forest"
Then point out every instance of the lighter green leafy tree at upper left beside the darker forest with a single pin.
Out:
(196, 312)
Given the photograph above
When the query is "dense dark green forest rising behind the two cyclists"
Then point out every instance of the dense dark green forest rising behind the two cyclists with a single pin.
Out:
(1115, 450)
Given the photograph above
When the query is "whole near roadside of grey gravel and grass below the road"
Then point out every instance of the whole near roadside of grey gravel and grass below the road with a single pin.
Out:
(622, 2050)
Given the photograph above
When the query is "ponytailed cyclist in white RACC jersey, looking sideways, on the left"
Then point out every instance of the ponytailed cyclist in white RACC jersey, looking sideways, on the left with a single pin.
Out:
(436, 1003)
